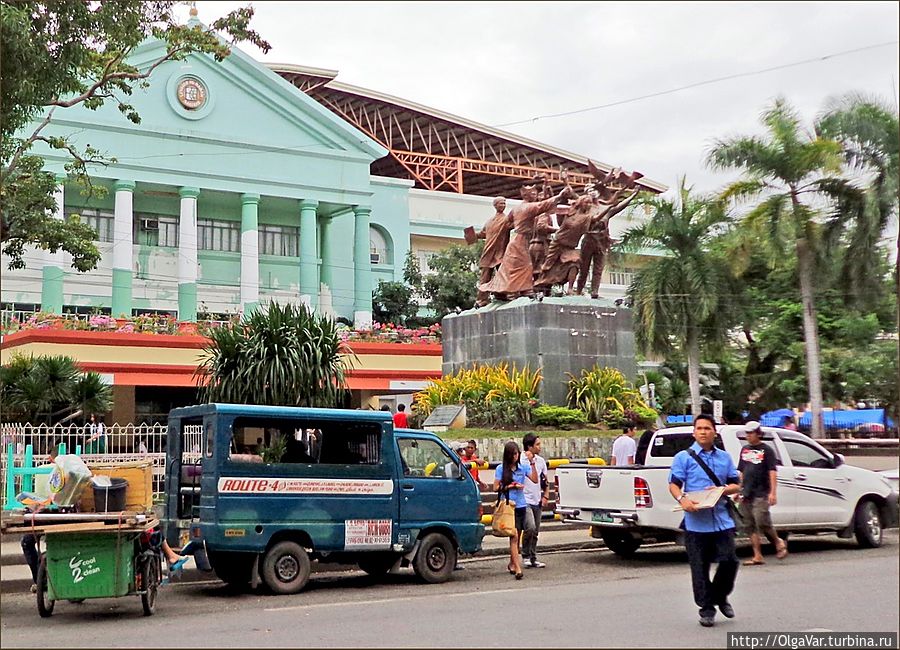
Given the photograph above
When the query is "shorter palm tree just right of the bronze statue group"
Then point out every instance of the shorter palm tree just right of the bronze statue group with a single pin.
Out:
(674, 296)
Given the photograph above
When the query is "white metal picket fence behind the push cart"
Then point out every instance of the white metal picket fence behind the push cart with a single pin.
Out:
(120, 443)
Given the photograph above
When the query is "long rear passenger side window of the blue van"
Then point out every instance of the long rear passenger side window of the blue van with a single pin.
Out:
(293, 441)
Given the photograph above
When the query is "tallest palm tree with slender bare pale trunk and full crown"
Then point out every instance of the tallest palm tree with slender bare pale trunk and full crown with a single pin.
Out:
(790, 169)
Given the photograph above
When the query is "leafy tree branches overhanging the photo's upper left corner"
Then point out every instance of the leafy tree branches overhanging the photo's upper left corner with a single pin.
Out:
(57, 54)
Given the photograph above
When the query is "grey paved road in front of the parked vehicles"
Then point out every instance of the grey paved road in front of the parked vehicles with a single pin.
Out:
(583, 598)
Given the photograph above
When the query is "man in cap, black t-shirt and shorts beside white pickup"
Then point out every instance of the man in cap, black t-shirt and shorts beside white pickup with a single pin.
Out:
(759, 483)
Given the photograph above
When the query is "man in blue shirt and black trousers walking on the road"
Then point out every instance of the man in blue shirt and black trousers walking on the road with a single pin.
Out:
(709, 532)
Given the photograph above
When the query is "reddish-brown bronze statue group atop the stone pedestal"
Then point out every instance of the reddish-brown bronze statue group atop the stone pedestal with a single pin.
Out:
(539, 253)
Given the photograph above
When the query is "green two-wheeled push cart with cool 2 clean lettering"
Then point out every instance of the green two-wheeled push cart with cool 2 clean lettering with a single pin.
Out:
(110, 558)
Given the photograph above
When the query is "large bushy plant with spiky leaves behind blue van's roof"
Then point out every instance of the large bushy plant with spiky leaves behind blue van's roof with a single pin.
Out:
(282, 356)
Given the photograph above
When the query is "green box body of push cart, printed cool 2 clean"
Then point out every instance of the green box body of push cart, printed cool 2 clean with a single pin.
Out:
(96, 565)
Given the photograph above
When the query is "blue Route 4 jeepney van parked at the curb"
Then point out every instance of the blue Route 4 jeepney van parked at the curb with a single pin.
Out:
(266, 490)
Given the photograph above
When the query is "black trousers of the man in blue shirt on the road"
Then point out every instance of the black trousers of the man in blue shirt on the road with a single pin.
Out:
(704, 549)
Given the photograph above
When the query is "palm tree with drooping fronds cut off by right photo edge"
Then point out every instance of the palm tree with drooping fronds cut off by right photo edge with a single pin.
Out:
(870, 133)
